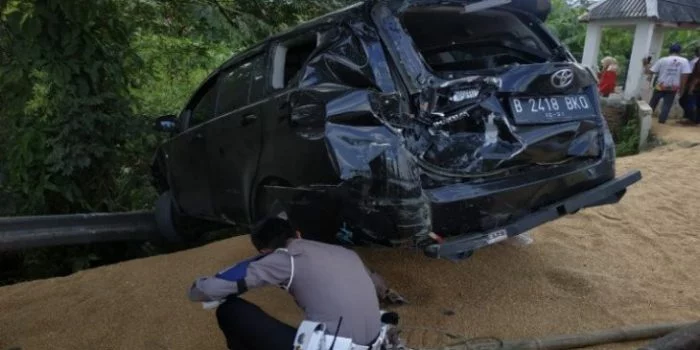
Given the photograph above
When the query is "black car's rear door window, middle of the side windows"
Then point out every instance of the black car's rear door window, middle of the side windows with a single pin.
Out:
(238, 87)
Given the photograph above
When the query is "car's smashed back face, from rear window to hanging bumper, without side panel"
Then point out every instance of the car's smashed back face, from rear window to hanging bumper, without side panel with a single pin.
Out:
(507, 130)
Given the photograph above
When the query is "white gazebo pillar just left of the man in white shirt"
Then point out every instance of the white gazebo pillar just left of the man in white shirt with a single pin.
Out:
(643, 38)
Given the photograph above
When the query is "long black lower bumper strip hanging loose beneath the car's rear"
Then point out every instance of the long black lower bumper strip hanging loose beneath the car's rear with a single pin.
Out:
(608, 192)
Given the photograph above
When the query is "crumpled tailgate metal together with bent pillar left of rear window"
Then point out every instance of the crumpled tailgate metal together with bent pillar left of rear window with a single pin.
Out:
(475, 138)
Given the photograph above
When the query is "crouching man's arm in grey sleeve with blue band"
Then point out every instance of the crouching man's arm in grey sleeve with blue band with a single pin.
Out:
(272, 269)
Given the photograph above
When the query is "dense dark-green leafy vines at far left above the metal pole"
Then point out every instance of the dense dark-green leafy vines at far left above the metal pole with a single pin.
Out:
(70, 72)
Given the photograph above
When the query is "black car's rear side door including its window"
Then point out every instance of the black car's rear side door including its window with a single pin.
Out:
(236, 136)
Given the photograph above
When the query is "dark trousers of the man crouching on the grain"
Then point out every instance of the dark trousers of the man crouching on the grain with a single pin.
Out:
(247, 327)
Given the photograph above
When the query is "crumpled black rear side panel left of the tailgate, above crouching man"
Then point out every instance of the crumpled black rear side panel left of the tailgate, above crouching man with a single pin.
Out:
(346, 101)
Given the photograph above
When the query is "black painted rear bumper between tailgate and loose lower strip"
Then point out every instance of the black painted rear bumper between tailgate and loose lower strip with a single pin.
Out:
(481, 206)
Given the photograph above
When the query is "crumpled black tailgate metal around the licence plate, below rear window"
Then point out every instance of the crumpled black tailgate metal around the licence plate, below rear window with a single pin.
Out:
(476, 138)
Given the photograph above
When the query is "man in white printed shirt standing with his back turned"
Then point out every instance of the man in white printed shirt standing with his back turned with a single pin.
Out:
(672, 75)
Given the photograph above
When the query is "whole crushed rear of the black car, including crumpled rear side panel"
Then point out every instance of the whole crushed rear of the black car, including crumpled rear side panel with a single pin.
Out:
(494, 130)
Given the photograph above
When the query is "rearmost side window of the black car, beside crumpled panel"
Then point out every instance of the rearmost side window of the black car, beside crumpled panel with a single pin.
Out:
(290, 57)
